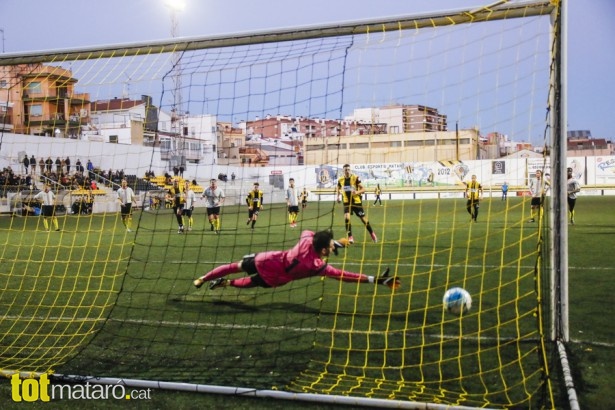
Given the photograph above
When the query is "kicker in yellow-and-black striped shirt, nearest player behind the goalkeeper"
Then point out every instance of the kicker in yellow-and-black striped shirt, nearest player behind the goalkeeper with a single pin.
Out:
(349, 190)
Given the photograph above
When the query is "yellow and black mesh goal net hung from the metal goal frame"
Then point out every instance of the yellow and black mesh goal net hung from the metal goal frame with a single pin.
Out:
(415, 105)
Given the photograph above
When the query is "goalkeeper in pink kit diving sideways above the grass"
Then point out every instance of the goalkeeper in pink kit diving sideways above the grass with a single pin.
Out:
(276, 268)
